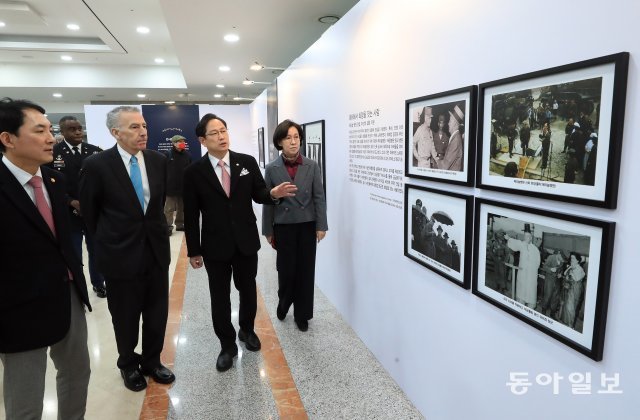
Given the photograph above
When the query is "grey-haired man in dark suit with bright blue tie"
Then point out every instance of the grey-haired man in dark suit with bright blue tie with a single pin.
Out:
(122, 194)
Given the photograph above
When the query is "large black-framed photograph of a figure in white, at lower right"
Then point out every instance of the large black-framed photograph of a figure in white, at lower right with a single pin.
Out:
(551, 270)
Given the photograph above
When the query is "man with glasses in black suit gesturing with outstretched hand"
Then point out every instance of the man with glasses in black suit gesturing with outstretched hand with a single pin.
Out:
(229, 240)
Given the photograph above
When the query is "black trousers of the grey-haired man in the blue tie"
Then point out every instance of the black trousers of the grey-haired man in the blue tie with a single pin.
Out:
(147, 295)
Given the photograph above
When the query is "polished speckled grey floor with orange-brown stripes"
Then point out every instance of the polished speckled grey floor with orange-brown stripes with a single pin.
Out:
(324, 373)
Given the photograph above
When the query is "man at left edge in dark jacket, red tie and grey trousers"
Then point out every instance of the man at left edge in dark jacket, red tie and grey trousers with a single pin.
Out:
(42, 287)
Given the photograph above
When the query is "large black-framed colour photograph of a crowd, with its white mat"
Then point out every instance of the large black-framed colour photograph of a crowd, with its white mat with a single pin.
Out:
(555, 133)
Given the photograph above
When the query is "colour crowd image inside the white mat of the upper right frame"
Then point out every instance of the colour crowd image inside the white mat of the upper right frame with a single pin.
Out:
(554, 124)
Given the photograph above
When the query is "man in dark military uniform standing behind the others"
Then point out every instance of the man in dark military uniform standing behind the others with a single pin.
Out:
(68, 156)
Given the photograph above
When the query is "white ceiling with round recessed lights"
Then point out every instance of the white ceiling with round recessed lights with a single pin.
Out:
(111, 62)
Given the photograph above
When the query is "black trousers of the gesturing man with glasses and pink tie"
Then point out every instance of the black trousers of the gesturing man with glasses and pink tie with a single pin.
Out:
(244, 269)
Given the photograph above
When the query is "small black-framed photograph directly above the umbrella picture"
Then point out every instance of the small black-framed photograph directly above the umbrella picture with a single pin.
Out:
(440, 136)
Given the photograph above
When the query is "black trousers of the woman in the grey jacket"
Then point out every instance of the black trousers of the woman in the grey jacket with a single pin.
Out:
(296, 263)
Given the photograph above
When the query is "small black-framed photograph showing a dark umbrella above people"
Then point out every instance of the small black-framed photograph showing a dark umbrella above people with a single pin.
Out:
(437, 231)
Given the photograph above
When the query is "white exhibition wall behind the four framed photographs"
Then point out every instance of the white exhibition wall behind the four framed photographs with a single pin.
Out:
(450, 351)
